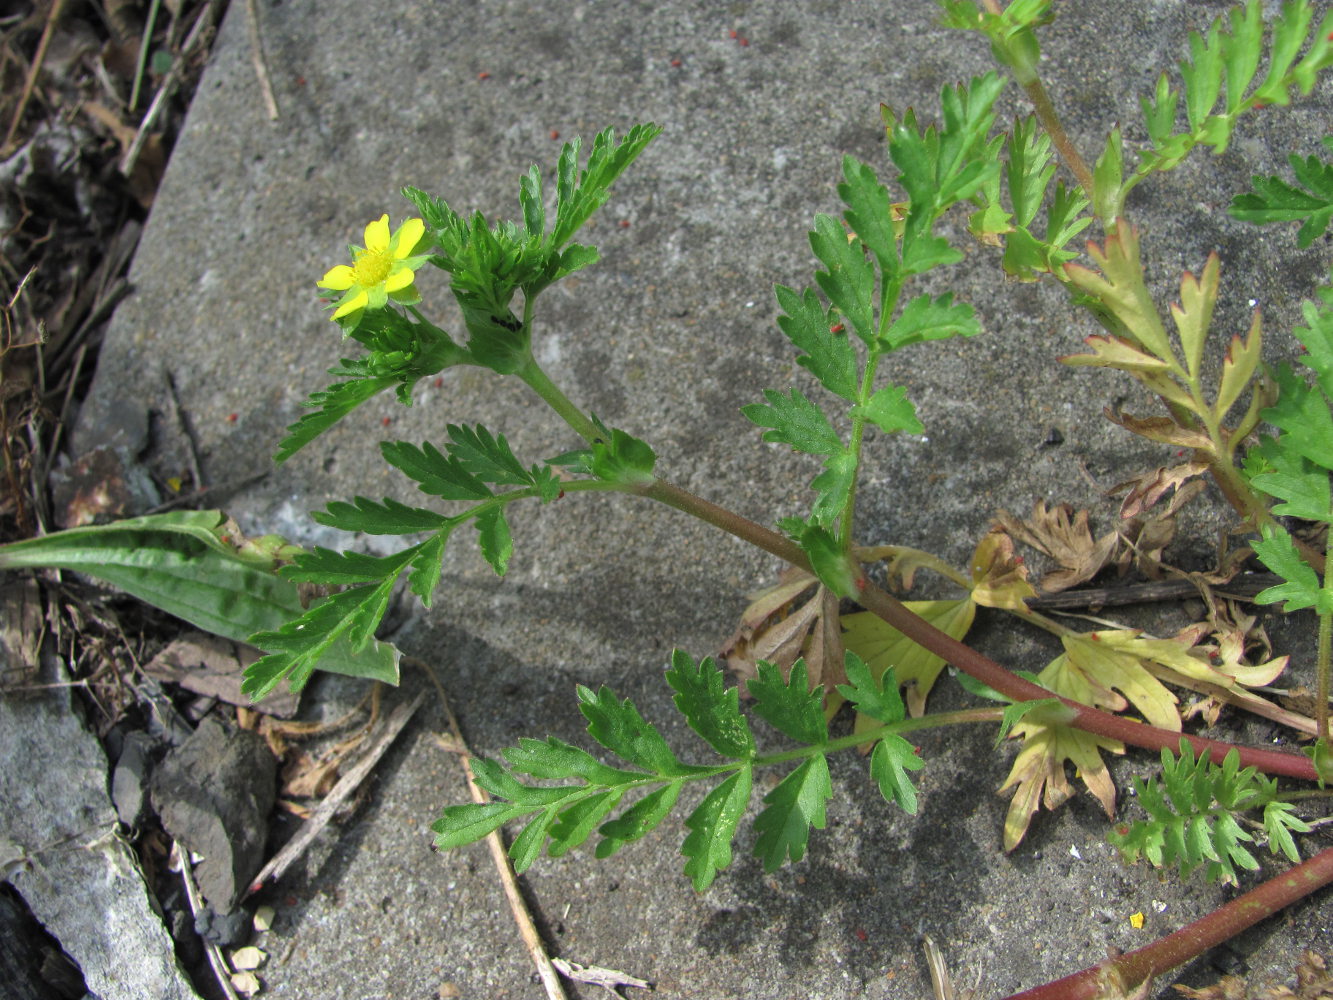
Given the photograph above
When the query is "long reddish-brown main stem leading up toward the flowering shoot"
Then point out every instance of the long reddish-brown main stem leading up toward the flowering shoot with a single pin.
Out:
(964, 657)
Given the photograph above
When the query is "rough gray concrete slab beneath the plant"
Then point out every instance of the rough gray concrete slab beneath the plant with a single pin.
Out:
(668, 337)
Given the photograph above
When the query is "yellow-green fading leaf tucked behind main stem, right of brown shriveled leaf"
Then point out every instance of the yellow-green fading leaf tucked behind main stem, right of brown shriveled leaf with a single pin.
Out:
(882, 646)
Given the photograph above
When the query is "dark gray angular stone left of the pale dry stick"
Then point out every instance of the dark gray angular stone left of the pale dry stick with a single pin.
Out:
(214, 795)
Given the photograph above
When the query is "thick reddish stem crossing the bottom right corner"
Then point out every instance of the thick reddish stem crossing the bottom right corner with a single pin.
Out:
(1119, 977)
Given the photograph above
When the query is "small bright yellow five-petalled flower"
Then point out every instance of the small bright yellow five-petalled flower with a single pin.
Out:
(381, 271)
